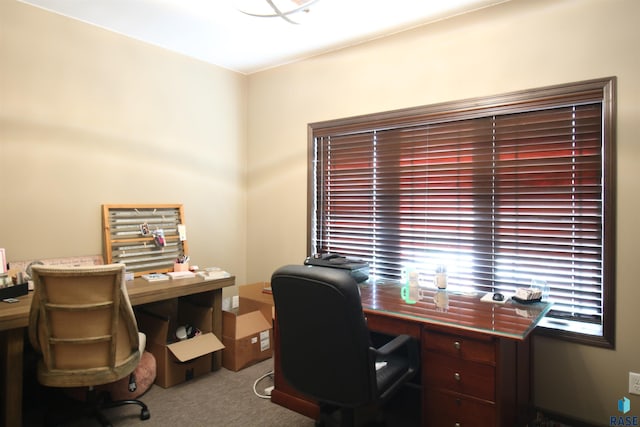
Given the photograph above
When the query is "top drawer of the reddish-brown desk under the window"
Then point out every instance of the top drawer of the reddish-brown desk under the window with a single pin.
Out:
(460, 346)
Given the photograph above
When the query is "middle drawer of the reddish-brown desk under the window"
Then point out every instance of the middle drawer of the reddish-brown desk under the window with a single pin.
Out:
(458, 375)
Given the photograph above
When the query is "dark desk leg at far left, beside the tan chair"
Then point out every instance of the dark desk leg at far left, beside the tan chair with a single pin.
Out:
(12, 349)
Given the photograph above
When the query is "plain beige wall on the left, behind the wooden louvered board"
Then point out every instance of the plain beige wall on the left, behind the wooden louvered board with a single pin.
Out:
(89, 117)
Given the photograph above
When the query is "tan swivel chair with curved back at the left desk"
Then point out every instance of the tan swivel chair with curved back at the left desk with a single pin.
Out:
(83, 328)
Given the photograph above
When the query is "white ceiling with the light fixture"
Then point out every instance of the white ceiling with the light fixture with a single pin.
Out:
(215, 31)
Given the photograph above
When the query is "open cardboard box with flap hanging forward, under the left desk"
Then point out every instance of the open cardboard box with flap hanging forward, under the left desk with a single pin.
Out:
(178, 361)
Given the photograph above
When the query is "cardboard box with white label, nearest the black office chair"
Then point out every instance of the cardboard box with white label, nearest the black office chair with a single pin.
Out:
(247, 333)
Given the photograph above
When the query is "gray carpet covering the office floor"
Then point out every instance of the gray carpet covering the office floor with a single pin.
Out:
(222, 398)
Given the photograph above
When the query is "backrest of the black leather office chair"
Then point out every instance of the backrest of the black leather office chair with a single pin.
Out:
(324, 340)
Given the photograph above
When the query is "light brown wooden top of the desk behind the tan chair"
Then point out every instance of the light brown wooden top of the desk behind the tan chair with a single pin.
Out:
(16, 315)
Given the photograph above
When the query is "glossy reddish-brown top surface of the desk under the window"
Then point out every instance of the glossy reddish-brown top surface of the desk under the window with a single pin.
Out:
(452, 309)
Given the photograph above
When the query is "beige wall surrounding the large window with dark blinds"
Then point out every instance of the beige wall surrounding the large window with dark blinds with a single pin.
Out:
(518, 45)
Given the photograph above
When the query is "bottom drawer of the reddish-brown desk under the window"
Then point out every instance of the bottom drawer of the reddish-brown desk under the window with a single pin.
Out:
(447, 410)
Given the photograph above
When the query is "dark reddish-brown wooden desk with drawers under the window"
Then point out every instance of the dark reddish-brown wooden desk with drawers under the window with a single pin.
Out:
(475, 355)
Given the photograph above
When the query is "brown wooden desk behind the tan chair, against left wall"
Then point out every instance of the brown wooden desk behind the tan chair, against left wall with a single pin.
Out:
(15, 317)
